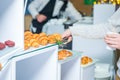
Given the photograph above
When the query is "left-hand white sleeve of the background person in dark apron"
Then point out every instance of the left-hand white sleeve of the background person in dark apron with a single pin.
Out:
(33, 6)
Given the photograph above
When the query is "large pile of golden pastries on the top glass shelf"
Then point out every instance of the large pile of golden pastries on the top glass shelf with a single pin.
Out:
(41, 39)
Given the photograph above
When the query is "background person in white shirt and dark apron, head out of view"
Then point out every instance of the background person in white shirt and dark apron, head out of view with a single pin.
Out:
(42, 11)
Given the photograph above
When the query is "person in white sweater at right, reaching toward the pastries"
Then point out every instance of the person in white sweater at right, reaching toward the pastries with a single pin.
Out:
(100, 31)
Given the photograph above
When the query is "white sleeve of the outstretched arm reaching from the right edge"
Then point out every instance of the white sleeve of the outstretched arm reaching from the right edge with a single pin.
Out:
(98, 30)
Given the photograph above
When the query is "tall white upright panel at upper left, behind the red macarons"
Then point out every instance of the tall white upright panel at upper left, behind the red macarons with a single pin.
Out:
(12, 21)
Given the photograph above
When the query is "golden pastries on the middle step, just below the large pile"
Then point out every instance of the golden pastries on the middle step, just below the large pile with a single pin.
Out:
(63, 54)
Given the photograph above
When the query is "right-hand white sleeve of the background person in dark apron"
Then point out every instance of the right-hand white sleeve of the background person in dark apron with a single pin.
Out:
(72, 12)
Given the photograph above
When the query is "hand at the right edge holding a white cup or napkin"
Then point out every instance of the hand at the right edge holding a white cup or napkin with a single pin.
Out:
(113, 40)
